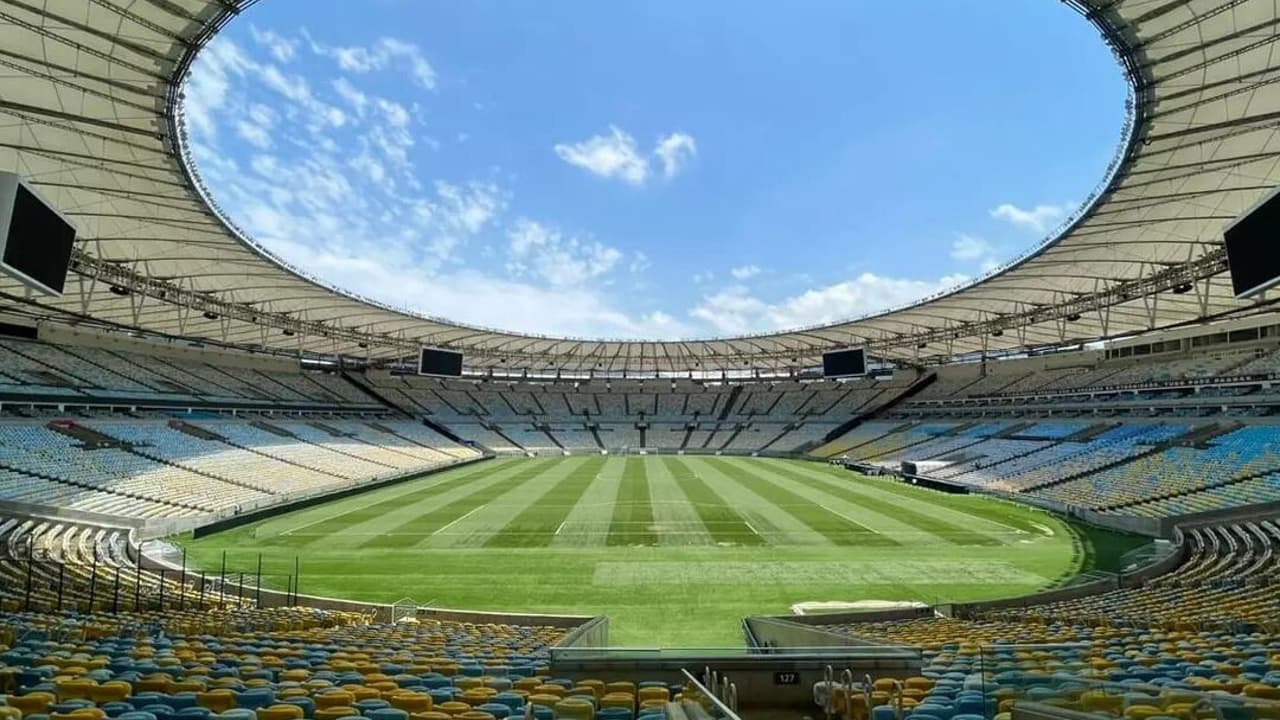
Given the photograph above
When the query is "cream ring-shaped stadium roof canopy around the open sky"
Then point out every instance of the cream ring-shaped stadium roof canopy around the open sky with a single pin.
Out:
(90, 98)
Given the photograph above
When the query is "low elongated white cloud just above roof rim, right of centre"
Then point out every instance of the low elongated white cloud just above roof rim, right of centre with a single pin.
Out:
(737, 311)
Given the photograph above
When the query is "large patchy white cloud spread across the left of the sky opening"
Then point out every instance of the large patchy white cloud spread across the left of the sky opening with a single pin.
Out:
(348, 203)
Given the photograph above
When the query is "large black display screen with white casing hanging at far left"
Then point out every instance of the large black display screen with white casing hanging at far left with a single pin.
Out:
(35, 240)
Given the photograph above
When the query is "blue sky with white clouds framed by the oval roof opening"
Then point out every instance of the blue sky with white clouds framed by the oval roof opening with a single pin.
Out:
(652, 168)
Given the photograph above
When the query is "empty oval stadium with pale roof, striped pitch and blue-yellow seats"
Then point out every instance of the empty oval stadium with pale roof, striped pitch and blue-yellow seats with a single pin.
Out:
(232, 490)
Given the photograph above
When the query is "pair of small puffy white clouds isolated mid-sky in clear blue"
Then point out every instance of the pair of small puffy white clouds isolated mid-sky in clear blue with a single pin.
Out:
(618, 157)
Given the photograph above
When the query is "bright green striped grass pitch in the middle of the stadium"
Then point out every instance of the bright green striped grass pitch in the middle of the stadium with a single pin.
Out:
(675, 550)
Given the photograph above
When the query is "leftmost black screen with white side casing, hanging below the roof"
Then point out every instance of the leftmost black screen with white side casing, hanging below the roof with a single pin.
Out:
(40, 241)
